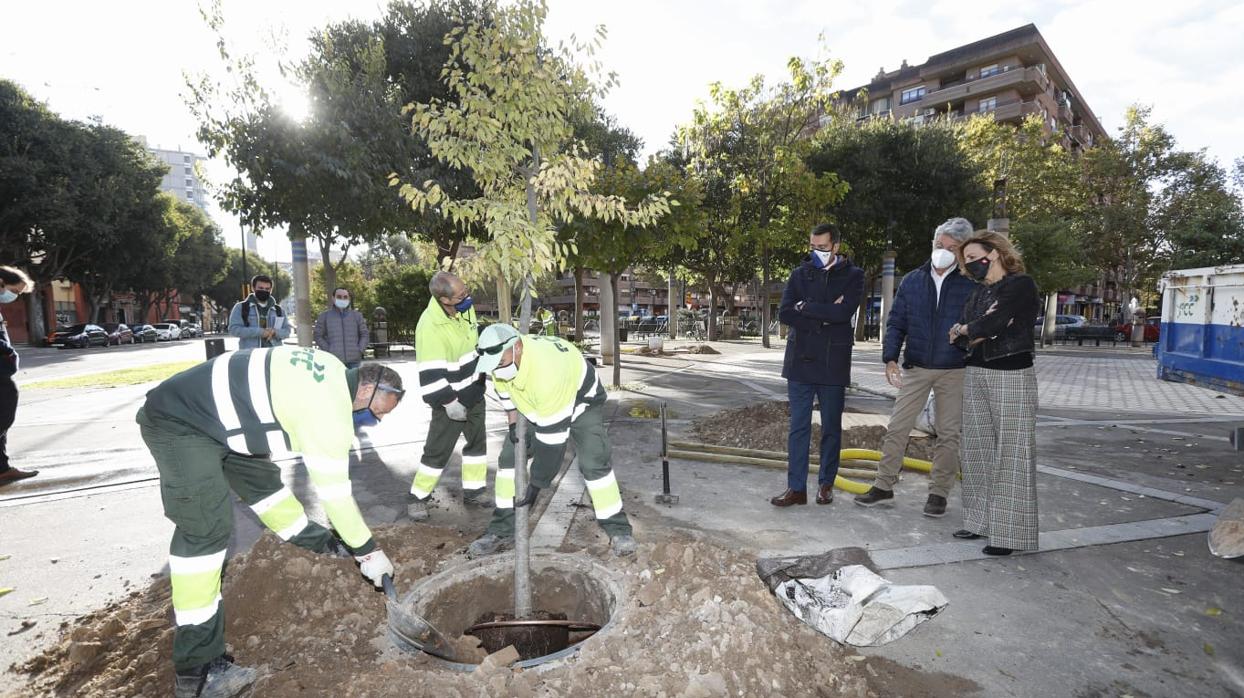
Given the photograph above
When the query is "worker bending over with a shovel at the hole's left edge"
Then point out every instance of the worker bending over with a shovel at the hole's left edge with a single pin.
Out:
(212, 430)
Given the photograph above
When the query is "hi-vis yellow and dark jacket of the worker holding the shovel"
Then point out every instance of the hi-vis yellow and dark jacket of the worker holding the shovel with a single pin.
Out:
(258, 403)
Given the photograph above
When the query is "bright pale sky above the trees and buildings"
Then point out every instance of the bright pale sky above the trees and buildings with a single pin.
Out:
(125, 60)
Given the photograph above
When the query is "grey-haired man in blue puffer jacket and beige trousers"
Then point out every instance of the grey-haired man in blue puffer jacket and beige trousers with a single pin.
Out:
(929, 303)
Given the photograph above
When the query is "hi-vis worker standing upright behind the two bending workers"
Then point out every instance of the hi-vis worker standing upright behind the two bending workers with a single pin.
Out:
(445, 345)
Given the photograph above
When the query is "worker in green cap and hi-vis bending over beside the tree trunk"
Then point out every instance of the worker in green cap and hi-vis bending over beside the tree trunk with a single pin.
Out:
(549, 381)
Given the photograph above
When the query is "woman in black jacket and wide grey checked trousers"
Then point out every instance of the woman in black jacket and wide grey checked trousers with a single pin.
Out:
(1000, 398)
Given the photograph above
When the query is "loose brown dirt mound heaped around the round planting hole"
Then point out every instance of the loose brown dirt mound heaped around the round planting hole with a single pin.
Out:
(697, 621)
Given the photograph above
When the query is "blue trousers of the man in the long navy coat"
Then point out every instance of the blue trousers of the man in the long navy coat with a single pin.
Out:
(833, 400)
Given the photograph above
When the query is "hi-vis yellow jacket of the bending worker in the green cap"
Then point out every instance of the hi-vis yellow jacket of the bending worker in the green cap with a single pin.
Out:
(554, 388)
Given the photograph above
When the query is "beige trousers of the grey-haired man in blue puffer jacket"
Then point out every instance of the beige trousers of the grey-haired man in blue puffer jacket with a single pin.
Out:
(947, 386)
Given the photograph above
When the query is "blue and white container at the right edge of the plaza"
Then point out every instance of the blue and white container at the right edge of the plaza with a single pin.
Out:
(1202, 337)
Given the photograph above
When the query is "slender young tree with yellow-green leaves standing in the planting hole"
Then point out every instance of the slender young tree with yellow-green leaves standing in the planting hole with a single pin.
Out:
(511, 128)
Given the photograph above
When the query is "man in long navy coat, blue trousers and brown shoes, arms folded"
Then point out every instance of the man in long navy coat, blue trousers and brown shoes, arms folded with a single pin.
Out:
(818, 305)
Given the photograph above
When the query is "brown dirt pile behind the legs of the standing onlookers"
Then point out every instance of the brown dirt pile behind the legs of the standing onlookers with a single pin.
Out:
(764, 426)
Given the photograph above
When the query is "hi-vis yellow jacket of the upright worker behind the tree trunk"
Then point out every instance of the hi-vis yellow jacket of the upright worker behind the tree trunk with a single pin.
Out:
(445, 351)
